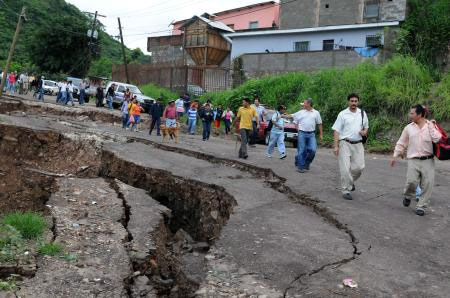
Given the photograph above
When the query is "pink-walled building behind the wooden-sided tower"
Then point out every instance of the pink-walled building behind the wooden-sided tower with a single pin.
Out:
(257, 16)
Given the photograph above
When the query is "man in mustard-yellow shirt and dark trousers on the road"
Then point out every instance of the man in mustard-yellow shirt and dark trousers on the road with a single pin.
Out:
(245, 117)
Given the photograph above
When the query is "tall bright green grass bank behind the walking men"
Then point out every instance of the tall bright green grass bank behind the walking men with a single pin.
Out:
(387, 92)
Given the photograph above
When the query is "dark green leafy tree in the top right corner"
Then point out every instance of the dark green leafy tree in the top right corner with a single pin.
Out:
(426, 31)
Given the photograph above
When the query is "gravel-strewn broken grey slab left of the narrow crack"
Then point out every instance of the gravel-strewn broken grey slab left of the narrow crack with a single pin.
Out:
(95, 263)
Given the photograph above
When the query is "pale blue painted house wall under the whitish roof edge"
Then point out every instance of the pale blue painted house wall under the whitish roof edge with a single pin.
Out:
(285, 42)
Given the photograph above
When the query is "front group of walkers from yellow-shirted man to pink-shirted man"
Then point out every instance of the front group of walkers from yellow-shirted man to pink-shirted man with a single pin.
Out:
(350, 133)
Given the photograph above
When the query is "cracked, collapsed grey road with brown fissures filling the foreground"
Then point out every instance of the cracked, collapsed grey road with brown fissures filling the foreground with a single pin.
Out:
(138, 218)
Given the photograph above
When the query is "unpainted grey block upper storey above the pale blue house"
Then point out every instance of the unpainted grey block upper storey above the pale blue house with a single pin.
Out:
(313, 13)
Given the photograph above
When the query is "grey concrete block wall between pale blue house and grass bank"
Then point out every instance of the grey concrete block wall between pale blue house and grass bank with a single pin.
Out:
(258, 65)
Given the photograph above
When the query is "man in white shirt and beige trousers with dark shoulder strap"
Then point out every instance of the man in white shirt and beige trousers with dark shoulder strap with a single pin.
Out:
(350, 127)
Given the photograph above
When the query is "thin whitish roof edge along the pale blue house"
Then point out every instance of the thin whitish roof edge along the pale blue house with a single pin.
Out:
(314, 29)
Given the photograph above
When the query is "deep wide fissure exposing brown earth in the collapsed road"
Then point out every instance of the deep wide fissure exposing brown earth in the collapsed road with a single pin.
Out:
(32, 160)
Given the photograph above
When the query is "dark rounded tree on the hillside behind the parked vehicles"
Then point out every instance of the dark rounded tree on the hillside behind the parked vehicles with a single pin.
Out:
(62, 47)
